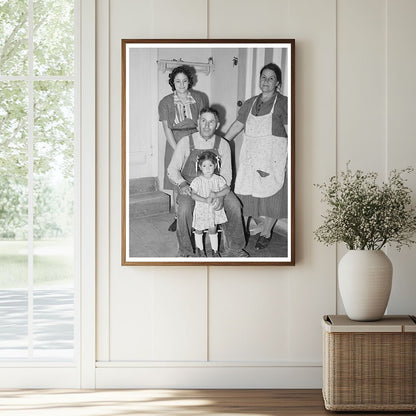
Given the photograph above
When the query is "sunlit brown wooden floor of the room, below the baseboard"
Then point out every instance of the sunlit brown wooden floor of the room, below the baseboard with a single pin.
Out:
(167, 402)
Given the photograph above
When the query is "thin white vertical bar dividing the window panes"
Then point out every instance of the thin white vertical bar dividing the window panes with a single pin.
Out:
(30, 178)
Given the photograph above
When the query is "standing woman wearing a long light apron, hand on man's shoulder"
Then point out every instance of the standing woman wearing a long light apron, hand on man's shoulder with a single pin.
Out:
(261, 182)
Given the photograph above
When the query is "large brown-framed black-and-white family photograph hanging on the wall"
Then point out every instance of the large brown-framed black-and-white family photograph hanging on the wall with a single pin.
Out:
(208, 135)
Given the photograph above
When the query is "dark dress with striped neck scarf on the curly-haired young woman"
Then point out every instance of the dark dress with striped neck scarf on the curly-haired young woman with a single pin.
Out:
(182, 120)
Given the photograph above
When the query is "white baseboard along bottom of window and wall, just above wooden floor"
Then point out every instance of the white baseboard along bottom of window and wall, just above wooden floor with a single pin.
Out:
(114, 375)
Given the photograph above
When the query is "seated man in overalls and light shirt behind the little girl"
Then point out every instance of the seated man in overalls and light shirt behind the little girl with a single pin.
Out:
(183, 169)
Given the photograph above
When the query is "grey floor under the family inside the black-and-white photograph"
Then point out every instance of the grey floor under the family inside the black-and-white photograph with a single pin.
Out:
(149, 237)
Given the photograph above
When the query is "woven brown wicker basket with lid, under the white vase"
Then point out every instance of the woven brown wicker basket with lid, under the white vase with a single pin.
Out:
(369, 366)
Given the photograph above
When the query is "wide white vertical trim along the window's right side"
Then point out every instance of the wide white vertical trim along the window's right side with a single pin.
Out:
(87, 202)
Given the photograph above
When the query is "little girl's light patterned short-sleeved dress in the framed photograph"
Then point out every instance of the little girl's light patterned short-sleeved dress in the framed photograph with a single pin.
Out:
(204, 215)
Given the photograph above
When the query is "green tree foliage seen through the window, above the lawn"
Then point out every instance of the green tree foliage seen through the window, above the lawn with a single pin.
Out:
(51, 118)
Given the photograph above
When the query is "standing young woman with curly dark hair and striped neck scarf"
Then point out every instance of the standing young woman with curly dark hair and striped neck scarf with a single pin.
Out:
(178, 113)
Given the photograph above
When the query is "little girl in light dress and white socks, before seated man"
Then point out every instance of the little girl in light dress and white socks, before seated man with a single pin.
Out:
(205, 188)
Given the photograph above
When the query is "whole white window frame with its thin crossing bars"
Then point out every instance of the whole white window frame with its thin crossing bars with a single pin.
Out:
(80, 373)
